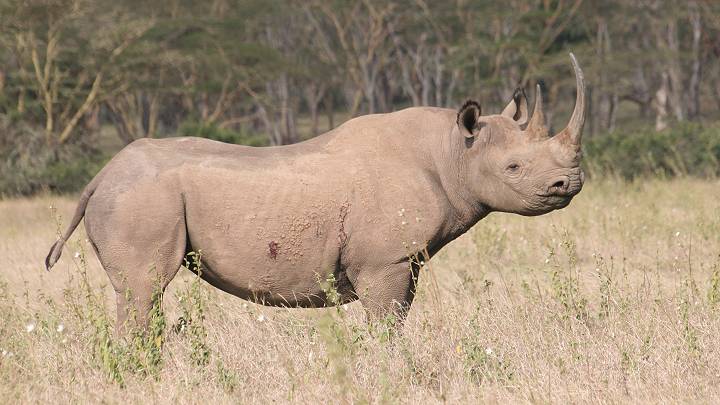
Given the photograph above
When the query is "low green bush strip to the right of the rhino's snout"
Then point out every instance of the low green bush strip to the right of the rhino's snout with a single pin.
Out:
(686, 150)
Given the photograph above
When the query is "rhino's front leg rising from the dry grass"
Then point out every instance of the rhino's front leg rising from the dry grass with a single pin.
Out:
(387, 291)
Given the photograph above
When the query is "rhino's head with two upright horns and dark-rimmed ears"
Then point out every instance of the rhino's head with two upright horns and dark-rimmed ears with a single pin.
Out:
(512, 162)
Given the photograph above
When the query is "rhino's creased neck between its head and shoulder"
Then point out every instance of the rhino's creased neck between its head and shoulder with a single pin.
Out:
(450, 165)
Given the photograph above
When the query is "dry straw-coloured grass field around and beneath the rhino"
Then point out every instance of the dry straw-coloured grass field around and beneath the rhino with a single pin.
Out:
(614, 299)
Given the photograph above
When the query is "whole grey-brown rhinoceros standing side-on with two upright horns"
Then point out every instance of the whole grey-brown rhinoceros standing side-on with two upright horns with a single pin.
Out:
(362, 205)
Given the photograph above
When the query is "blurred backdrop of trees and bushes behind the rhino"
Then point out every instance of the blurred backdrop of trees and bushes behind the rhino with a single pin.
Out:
(79, 79)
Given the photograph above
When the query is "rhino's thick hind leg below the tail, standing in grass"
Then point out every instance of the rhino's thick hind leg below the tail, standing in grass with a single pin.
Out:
(141, 256)
